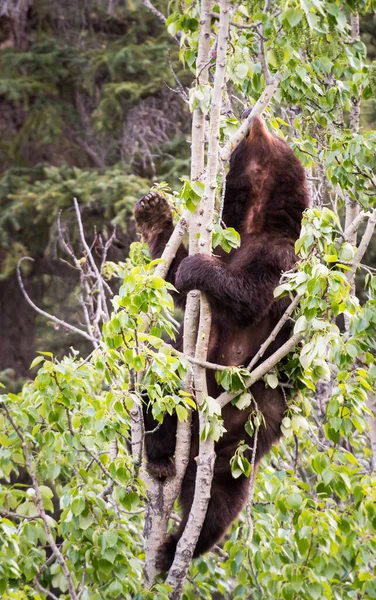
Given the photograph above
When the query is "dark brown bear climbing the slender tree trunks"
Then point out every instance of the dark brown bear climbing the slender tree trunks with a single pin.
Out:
(266, 194)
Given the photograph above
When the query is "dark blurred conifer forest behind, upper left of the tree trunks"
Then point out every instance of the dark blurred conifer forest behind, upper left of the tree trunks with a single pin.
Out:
(86, 110)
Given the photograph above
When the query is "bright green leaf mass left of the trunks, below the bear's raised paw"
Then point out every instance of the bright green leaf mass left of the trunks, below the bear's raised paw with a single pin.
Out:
(69, 416)
